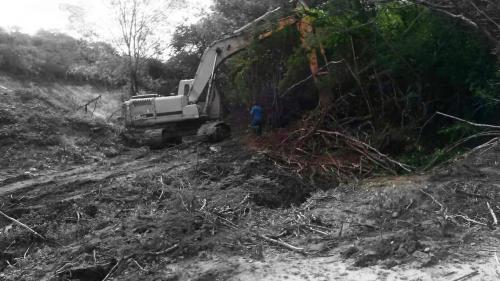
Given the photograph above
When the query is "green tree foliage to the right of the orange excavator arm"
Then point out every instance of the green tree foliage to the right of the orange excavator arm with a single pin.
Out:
(402, 63)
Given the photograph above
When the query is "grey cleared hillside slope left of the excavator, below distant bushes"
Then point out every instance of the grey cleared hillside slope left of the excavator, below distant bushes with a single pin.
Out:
(46, 127)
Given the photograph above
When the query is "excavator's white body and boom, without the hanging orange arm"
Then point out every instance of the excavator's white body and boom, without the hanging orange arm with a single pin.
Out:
(197, 101)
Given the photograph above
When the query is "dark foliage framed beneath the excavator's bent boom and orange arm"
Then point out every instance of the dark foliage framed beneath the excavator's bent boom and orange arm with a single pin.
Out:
(280, 60)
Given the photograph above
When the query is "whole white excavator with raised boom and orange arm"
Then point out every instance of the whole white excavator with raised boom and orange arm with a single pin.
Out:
(196, 108)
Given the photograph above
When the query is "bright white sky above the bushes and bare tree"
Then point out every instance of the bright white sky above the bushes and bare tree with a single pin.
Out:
(29, 16)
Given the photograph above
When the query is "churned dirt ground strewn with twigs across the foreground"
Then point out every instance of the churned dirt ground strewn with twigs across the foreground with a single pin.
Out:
(225, 212)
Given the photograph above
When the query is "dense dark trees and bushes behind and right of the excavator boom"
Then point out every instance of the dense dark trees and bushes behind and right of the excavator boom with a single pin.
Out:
(396, 65)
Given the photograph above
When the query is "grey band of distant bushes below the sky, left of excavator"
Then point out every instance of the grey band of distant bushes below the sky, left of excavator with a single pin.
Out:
(56, 56)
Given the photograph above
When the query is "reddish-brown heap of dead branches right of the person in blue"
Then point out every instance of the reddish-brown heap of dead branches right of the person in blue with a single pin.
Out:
(320, 148)
